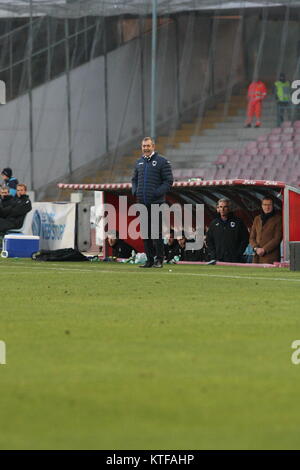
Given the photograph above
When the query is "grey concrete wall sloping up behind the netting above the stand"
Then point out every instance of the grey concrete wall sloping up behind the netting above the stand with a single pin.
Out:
(107, 114)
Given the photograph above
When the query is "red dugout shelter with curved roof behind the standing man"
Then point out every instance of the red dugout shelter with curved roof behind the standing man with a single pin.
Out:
(245, 195)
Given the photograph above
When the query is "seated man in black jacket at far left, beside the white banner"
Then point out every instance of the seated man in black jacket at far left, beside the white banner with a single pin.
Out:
(12, 216)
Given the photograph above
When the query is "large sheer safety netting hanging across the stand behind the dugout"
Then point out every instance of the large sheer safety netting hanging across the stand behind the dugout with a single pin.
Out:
(78, 83)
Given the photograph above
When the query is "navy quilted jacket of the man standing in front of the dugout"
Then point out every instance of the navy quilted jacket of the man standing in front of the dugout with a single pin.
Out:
(152, 179)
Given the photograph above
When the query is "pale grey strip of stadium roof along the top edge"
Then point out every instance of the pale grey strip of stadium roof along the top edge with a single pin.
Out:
(78, 8)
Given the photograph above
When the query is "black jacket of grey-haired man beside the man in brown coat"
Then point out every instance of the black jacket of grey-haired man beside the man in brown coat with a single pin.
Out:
(228, 240)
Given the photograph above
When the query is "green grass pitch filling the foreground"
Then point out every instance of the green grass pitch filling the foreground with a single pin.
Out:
(110, 356)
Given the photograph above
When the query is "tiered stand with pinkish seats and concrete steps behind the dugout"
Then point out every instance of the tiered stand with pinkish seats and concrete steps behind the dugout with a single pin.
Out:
(206, 148)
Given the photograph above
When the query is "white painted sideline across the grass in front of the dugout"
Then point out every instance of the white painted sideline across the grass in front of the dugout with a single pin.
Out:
(153, 272)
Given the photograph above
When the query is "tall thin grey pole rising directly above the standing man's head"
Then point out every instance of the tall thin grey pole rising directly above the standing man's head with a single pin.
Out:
(153, 71)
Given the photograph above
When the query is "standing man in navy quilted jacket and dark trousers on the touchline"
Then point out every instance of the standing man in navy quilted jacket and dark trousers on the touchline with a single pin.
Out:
(151, 180)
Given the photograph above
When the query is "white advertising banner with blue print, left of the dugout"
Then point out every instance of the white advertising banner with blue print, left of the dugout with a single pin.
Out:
(53, 222)
